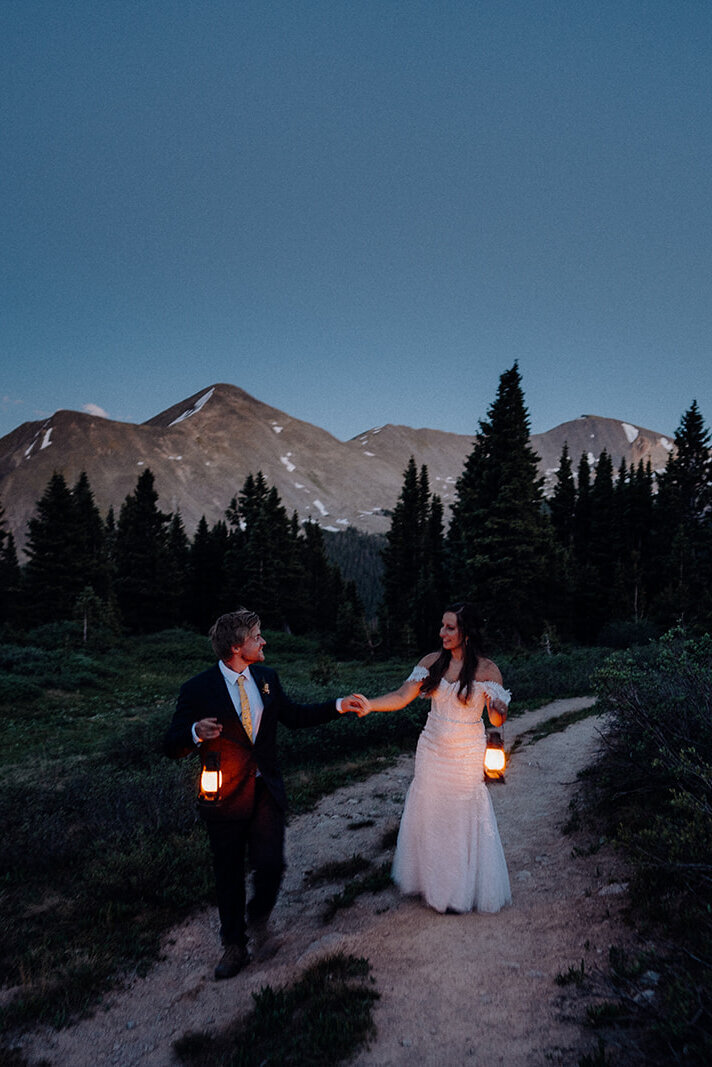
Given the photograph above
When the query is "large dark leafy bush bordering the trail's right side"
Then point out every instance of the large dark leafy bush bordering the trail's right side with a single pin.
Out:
(653, 793)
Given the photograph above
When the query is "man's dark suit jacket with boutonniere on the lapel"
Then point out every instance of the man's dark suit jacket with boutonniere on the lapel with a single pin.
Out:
(207, 696)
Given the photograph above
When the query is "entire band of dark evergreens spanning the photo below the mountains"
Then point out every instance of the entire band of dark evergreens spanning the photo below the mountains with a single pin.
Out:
(610, 558)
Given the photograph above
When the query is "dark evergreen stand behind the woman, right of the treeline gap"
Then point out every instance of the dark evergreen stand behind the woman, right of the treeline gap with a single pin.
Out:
(611, 558)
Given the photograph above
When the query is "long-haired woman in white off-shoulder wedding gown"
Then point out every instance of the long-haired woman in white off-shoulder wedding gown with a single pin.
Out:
(449, 847)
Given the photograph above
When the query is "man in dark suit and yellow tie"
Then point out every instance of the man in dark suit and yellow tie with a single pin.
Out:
(233, 710)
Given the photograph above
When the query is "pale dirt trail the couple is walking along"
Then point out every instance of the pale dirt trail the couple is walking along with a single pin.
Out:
(454, 990)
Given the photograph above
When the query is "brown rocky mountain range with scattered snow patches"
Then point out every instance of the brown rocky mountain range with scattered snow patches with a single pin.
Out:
(202, 450)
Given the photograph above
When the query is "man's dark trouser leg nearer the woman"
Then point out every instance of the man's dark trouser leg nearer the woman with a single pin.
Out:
(266, 853)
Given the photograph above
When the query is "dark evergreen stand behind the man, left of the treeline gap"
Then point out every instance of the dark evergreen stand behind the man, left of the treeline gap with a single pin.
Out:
(141, 574)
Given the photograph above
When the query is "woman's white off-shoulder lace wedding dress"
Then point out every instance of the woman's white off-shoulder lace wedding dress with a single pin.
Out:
(449, 847)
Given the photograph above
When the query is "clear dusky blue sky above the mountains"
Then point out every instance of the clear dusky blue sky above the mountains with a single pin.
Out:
(361, 212)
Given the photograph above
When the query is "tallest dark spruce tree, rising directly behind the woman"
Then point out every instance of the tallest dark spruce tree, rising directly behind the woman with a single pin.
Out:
(501, 539)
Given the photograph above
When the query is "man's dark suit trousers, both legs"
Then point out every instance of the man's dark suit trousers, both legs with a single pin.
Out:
(261, 840)
